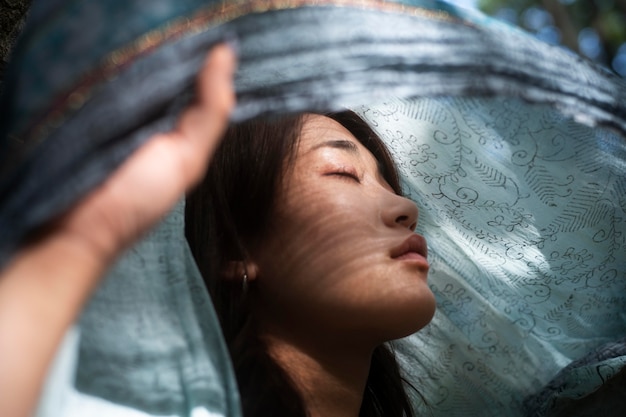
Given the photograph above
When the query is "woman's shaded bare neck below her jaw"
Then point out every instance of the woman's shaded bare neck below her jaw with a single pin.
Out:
(331, 380)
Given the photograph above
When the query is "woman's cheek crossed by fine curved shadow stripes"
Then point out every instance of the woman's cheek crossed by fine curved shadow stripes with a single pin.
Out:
(318, 237)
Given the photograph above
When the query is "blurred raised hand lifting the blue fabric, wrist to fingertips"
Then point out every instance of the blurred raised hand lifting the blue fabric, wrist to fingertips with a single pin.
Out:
(157, 175)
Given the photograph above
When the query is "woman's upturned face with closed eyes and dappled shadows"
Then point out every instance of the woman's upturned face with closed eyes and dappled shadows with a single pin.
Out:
(341, 257)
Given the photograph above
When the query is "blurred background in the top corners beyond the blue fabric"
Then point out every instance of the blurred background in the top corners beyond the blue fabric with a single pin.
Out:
(595, 29)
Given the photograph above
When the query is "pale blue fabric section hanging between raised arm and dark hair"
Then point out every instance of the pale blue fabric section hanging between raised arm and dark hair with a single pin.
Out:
(149, 341)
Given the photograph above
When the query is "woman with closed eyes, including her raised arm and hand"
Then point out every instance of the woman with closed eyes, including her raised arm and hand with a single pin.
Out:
(317, 266)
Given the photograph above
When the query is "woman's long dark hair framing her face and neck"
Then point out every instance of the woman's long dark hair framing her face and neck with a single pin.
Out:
(229, 210)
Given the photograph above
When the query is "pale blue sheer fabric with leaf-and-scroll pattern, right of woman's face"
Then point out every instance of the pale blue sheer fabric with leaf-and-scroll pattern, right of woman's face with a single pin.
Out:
(521, 207)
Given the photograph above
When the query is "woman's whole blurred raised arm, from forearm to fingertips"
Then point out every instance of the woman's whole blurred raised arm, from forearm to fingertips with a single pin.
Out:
(45, 285)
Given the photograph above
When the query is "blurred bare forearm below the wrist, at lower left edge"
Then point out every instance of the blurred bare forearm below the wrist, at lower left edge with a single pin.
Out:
(42, 291)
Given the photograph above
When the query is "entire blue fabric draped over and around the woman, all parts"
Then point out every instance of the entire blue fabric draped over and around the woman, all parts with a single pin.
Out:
(513, 150)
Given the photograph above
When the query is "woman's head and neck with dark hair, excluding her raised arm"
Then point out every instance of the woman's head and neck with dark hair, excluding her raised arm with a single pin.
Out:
(308, 250)
